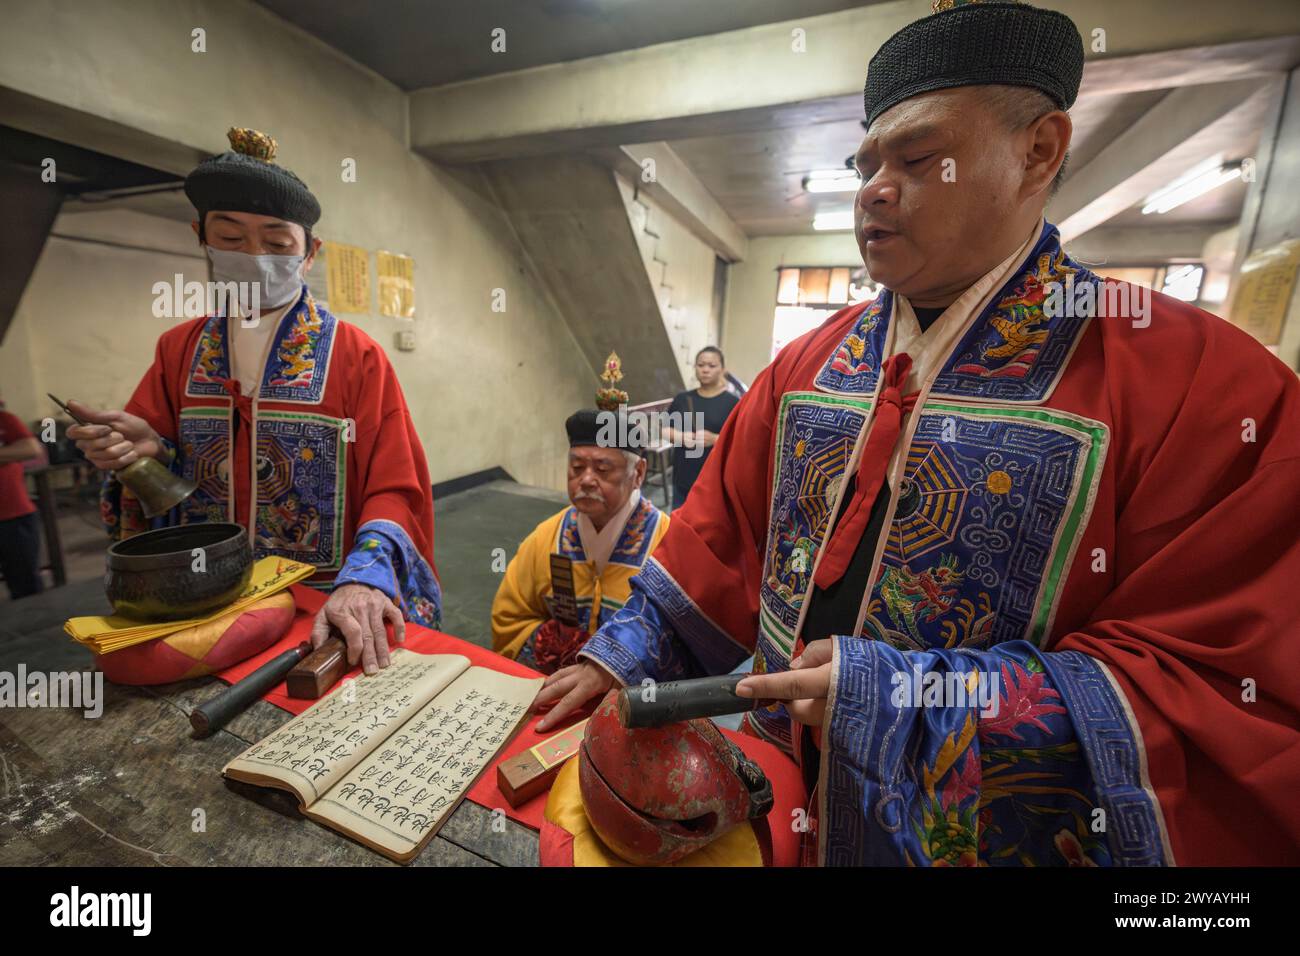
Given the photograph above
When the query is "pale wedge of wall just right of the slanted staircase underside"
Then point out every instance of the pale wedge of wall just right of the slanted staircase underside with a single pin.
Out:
(682, 272)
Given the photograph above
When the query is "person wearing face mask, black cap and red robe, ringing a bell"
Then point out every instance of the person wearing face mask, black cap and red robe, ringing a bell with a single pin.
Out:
(292, 423)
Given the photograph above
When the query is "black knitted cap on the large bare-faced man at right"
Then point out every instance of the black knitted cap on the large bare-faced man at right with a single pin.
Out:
(977, 45)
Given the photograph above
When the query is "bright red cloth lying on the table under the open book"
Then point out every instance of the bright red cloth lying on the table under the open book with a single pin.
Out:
(424, 642)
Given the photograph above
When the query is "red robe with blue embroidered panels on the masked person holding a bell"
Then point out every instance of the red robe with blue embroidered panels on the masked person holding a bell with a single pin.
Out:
(339, 478)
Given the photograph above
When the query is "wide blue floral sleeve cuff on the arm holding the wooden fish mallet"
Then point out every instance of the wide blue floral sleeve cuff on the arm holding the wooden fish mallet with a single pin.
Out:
(950, 758)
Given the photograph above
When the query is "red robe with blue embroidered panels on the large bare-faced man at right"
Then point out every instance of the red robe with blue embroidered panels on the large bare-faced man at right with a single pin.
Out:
(1097, 517)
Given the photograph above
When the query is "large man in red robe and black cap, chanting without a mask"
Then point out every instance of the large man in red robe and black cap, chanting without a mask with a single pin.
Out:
(1015, 546)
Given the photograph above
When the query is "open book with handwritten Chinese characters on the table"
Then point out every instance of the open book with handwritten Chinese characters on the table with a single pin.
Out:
(385, 759)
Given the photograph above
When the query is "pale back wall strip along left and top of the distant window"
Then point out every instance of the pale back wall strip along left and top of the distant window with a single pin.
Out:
(747, 339)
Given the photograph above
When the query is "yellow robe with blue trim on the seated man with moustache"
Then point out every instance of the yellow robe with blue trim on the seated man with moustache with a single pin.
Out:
(523, 602)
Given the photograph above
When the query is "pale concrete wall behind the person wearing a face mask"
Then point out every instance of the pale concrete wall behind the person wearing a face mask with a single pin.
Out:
(484, 388)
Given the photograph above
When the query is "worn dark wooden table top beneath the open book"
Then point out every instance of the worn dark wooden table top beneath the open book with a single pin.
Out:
(127, 789)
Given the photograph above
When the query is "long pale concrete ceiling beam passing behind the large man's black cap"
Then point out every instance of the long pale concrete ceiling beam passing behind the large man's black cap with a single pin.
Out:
(756, 79)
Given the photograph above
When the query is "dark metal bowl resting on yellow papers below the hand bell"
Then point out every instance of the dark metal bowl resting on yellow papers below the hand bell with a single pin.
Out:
(181, 573)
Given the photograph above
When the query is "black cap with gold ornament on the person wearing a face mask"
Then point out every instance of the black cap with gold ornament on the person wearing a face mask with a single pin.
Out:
(246, 180)
